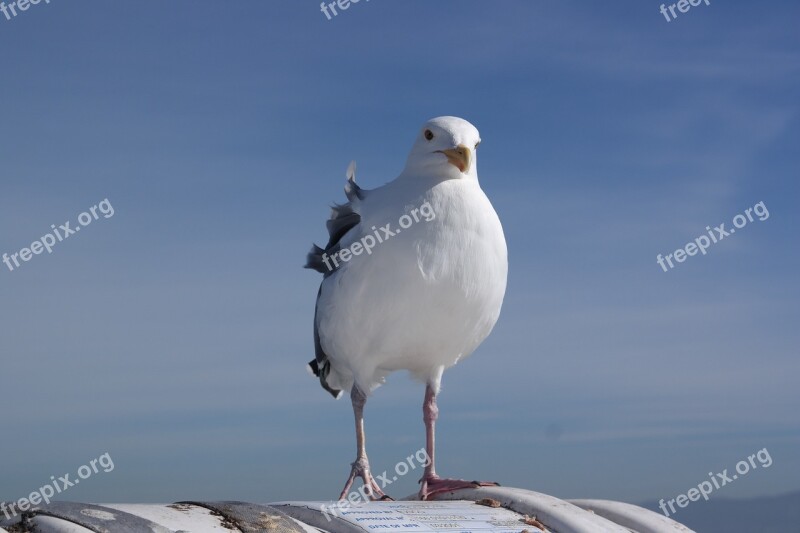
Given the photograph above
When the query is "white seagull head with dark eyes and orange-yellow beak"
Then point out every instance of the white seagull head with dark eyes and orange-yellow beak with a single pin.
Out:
(445, 146)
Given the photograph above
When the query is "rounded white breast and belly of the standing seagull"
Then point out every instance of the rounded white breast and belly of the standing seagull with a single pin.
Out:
(424, 298)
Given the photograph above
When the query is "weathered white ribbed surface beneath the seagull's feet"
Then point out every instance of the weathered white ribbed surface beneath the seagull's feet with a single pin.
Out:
(481, 510)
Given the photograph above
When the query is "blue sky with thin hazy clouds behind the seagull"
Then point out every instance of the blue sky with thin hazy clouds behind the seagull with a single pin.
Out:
(174, 334)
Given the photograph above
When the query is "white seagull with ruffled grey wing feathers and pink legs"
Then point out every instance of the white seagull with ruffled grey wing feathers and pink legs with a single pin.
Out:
(414, 275)
